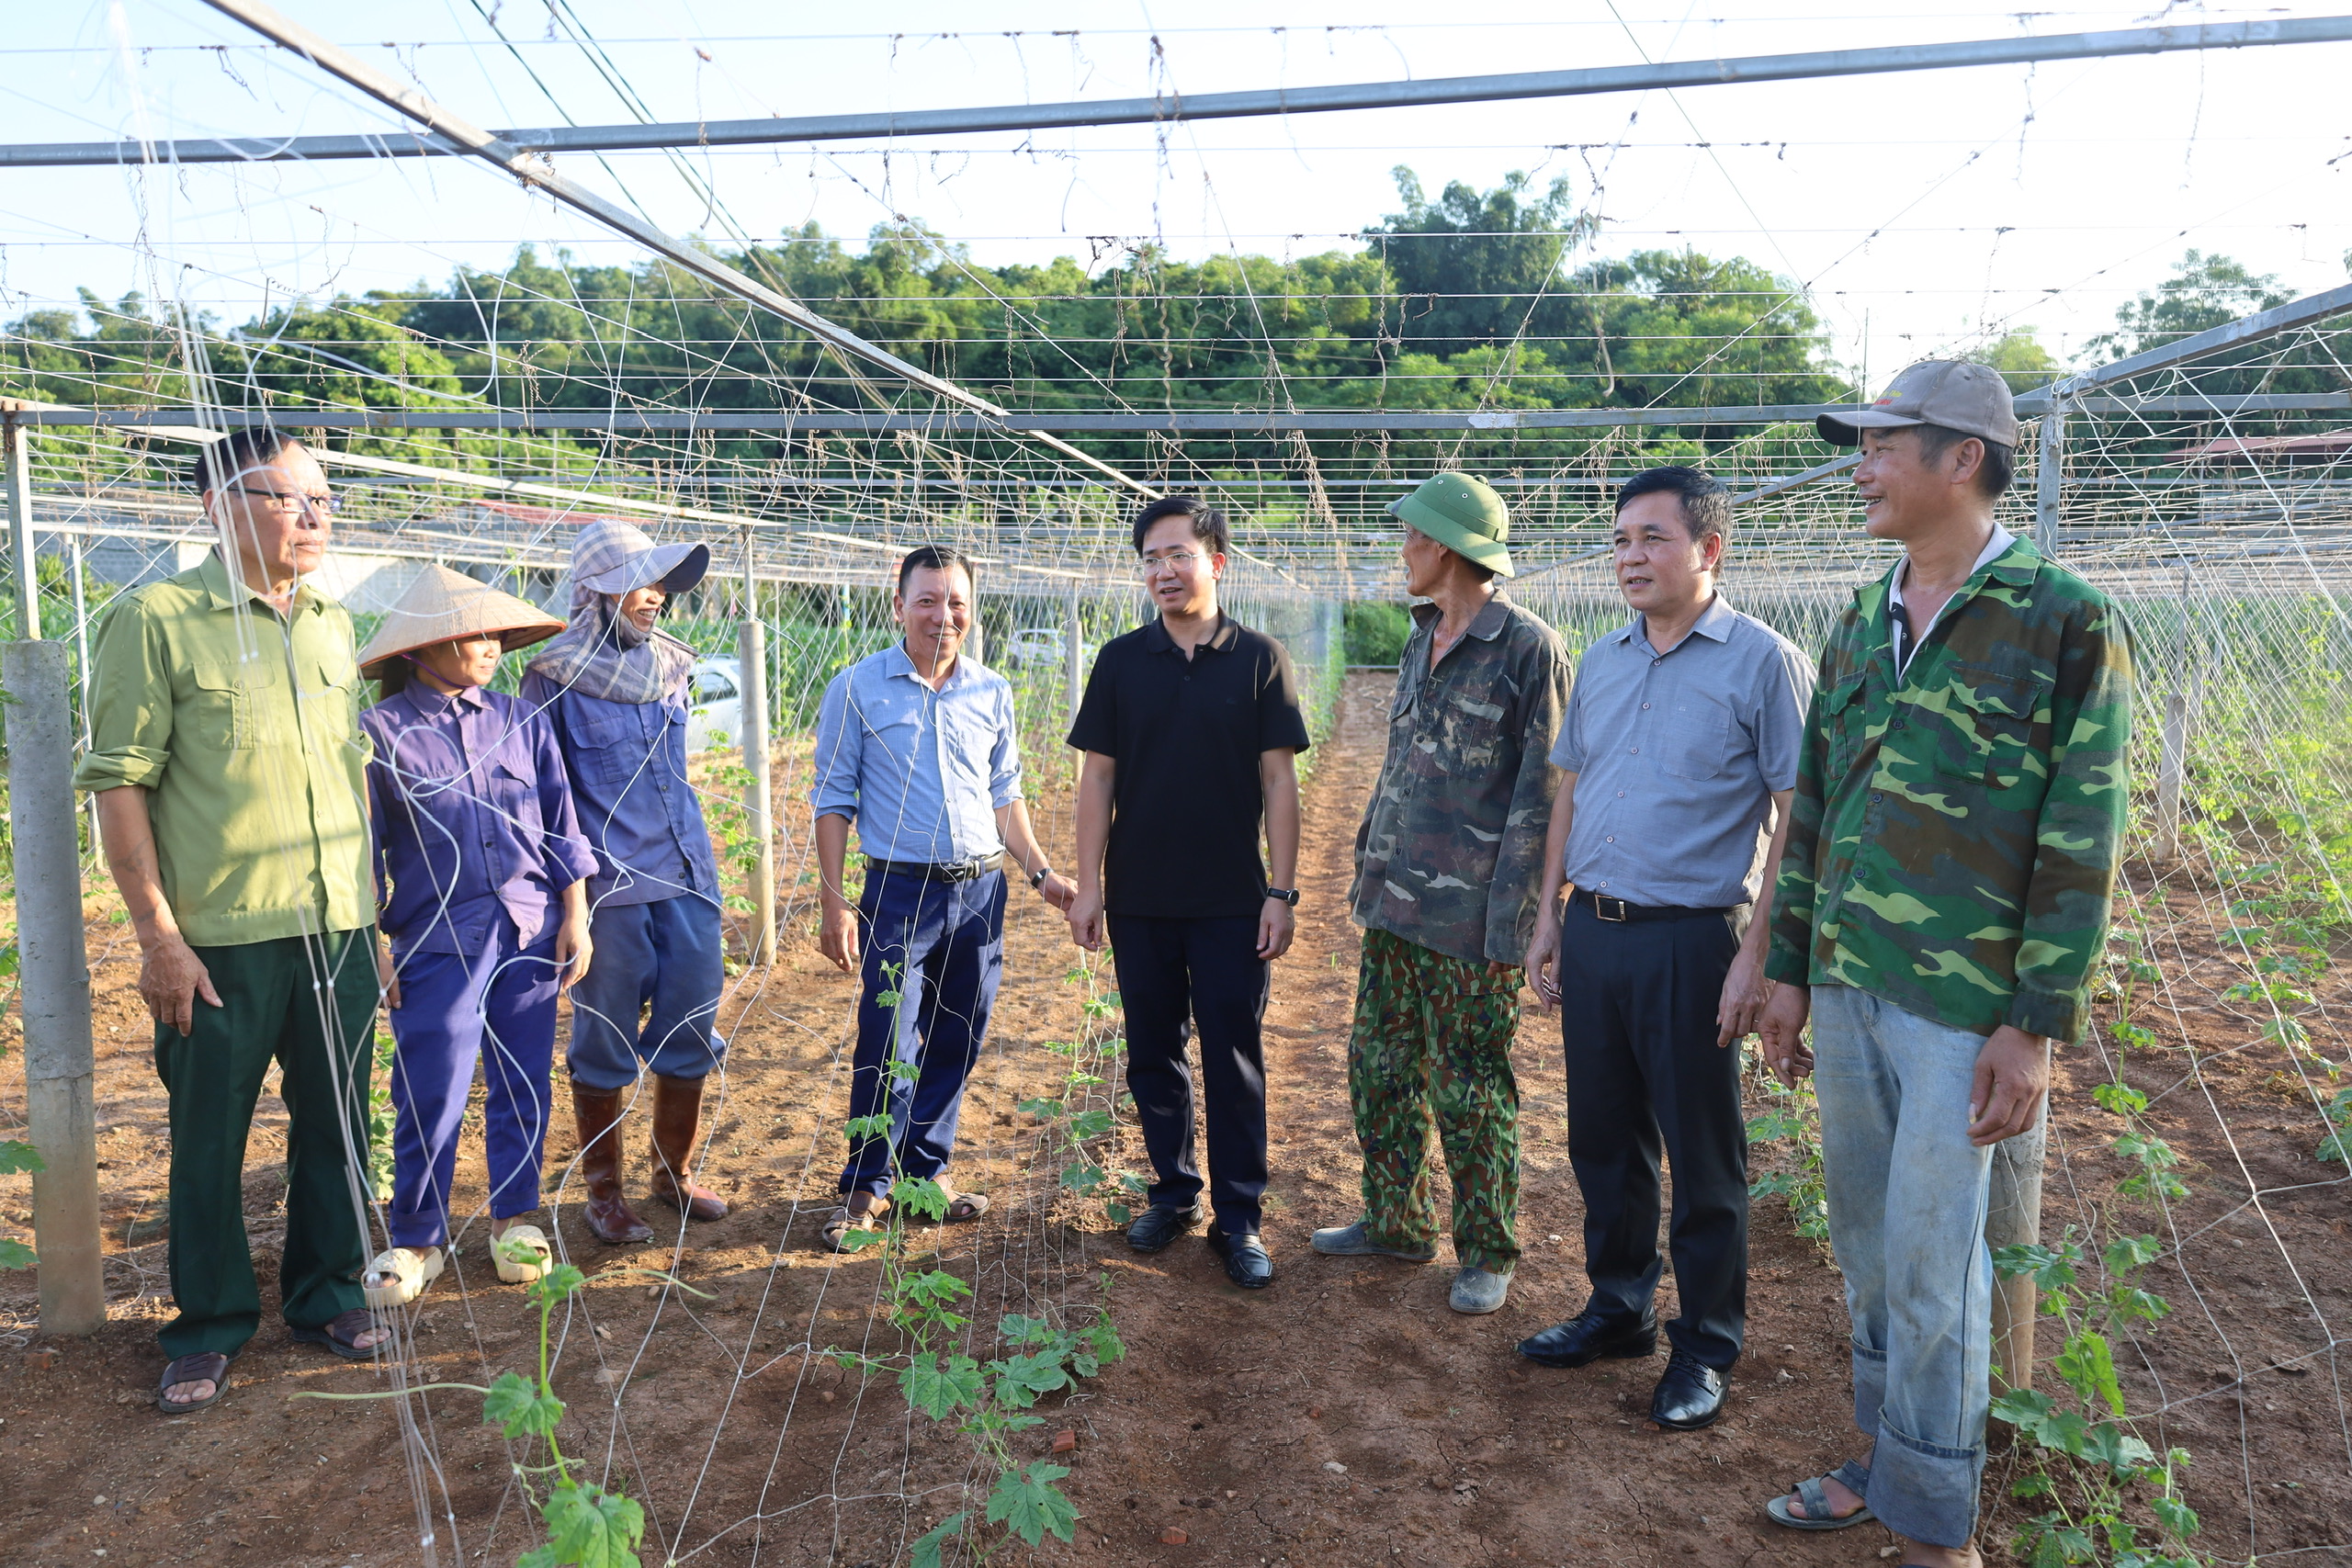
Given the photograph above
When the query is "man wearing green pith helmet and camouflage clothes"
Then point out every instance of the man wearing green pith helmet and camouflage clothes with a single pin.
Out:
(1448, 866)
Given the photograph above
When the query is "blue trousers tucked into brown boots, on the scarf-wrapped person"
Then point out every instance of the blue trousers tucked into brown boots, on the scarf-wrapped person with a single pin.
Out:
(660, 953)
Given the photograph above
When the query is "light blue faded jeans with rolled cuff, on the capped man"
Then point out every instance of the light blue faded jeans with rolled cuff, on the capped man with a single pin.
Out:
(1909, 1228)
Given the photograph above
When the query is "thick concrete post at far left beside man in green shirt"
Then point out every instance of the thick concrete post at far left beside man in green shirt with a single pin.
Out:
(60, 1073)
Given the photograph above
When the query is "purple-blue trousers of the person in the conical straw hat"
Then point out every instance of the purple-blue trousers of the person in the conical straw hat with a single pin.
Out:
(460, 1007)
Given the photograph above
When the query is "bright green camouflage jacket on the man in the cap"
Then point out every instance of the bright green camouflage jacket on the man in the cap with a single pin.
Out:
(1956, 829)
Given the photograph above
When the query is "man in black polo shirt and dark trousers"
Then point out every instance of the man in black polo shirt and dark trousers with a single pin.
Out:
(1191, 732)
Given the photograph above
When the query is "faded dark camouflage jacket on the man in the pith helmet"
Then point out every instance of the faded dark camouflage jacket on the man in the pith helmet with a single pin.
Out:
(1450, 852)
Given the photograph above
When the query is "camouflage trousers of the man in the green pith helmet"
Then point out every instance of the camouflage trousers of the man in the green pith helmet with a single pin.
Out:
(1431, 1043)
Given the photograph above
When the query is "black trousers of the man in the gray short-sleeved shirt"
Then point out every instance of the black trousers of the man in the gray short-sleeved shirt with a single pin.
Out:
(1638, 1019)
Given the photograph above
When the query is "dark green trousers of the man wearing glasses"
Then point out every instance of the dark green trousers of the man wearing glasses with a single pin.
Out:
(312, 1007)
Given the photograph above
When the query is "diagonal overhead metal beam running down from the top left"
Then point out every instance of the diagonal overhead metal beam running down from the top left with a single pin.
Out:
(540, 175)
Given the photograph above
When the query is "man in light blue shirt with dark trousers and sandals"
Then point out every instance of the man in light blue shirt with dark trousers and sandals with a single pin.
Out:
(916, 746)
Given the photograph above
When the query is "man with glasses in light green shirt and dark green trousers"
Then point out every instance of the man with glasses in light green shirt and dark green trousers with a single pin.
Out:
(229, 772)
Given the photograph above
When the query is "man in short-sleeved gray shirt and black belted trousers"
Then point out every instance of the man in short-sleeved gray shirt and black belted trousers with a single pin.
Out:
(1681, 753)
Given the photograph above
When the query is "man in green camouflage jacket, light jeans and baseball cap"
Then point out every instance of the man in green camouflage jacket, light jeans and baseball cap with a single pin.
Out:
(1939, 911)
